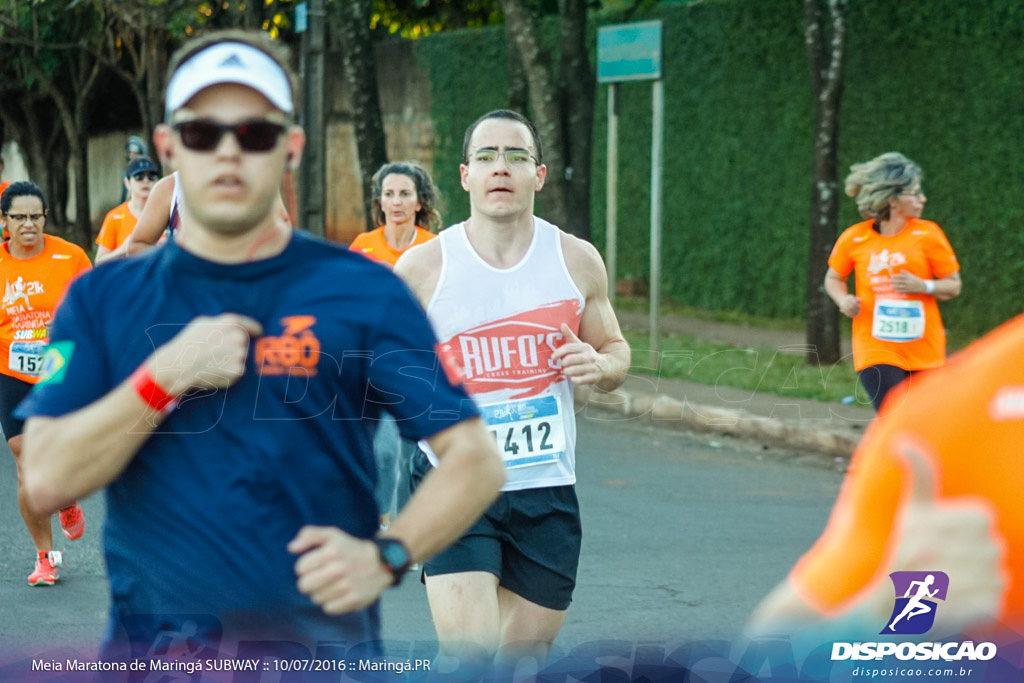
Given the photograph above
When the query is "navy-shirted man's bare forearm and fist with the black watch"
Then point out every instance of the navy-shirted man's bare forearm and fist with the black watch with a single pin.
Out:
(343, 574)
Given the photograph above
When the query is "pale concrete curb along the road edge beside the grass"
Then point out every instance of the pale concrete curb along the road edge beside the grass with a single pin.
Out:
(813, 436)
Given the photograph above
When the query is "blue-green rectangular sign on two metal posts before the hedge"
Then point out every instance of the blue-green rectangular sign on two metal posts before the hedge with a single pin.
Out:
(633, 53)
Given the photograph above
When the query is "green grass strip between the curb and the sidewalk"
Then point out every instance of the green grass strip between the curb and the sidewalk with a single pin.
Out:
(767, 370)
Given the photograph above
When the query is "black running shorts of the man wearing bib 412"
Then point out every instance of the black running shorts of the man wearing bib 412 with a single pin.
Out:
(529, 539)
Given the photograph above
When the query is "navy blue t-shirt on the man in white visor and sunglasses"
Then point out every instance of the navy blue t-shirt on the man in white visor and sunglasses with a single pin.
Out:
(199, 522)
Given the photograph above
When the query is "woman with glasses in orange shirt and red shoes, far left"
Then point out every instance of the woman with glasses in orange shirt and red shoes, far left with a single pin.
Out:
(37, 270)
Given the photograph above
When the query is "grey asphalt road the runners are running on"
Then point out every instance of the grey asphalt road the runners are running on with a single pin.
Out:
(684, 535)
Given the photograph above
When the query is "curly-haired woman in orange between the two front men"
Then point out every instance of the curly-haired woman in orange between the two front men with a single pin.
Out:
(404, 208)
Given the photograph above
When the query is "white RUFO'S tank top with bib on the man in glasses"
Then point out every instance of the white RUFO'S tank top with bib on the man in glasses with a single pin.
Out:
(500, 328)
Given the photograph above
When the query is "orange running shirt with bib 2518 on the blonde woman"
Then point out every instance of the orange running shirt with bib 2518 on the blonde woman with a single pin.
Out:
(920, 248)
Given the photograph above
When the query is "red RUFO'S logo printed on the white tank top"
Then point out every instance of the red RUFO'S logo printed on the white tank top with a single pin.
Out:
(515, 353)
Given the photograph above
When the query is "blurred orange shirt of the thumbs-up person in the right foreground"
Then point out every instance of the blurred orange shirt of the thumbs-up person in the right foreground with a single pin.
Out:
(968, 418)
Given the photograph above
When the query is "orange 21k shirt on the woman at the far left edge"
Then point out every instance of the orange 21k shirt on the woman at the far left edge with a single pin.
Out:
(33, 288)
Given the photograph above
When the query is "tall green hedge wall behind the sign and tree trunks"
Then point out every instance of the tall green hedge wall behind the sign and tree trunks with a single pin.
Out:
(943, 82)
